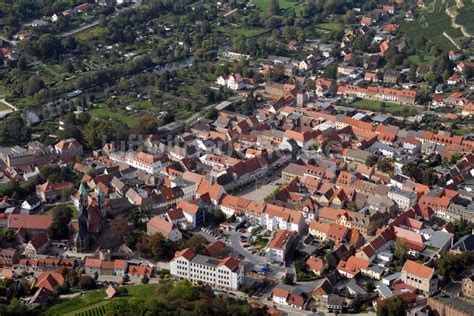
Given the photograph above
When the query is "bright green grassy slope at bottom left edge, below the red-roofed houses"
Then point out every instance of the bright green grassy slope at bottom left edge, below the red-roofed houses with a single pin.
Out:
(93, 303)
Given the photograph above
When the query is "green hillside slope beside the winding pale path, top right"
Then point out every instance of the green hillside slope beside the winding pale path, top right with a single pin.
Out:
(431, 23)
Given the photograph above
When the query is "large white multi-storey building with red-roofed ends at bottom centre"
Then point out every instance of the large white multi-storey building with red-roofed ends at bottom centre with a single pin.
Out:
(226, 273)
